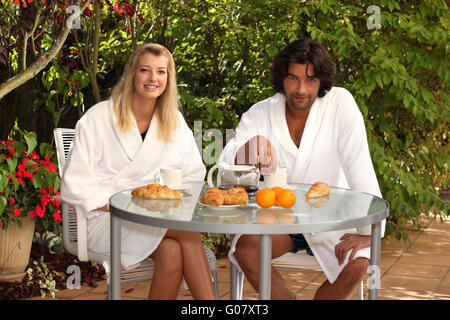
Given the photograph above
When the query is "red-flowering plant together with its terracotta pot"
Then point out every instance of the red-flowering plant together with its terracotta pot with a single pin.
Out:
(28, 183)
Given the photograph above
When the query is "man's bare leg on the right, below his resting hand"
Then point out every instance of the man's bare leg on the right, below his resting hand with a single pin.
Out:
(346, 283)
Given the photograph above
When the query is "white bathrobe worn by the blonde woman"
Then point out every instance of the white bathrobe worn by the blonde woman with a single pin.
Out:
(105, 160)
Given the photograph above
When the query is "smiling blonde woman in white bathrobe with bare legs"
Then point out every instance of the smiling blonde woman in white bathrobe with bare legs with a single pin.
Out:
(120, 144)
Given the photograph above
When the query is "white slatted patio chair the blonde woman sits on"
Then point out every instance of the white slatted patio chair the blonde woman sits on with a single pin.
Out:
(75, 229)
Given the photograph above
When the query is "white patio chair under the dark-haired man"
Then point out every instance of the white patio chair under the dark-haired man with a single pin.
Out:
(293, 262)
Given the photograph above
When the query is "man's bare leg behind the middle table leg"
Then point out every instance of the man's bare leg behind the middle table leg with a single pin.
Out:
(247, 254)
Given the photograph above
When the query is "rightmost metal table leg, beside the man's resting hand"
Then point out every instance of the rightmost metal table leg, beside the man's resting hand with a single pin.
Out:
(375, 253)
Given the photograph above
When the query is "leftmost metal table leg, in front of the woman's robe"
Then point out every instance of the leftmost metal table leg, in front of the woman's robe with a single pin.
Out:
(115, 237)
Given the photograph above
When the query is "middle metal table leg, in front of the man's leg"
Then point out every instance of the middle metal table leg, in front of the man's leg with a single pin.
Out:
(265, 266)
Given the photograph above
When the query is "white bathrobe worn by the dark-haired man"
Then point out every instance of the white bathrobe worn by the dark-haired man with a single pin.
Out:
(333, 149)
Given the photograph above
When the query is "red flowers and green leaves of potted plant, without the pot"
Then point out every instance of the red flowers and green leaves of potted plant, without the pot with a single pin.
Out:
(28, 183)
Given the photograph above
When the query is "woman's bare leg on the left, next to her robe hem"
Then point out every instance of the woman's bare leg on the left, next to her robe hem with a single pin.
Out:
(168, 272)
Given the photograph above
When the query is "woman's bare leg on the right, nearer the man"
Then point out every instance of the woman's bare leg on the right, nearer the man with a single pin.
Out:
(195, 264)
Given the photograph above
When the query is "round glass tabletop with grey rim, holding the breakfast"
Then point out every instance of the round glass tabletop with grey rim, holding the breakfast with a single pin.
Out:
(341, 209)
